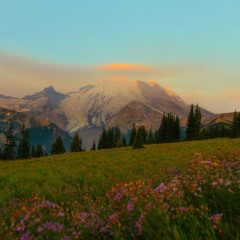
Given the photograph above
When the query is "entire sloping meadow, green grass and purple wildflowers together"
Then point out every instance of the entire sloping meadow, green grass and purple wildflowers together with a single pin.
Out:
(151, 193)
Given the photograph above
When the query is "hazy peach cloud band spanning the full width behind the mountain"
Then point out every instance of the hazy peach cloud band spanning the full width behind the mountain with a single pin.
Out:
(215, 89)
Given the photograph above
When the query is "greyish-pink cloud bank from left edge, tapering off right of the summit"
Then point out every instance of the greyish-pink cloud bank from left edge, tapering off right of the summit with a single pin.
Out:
(20, 76)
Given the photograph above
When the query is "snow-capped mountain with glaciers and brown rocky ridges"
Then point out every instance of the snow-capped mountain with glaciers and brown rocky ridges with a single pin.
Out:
(107, 103)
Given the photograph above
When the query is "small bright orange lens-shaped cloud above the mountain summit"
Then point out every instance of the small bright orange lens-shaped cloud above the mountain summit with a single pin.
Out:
(124, 67)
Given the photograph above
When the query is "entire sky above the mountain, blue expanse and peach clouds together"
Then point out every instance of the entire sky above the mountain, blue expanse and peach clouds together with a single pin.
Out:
(191, 47)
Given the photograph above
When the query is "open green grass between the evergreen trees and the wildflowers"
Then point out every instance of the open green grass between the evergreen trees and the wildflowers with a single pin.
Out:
(69, 177)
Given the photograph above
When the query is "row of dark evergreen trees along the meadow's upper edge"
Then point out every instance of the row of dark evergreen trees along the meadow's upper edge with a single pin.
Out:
(168, 131)
